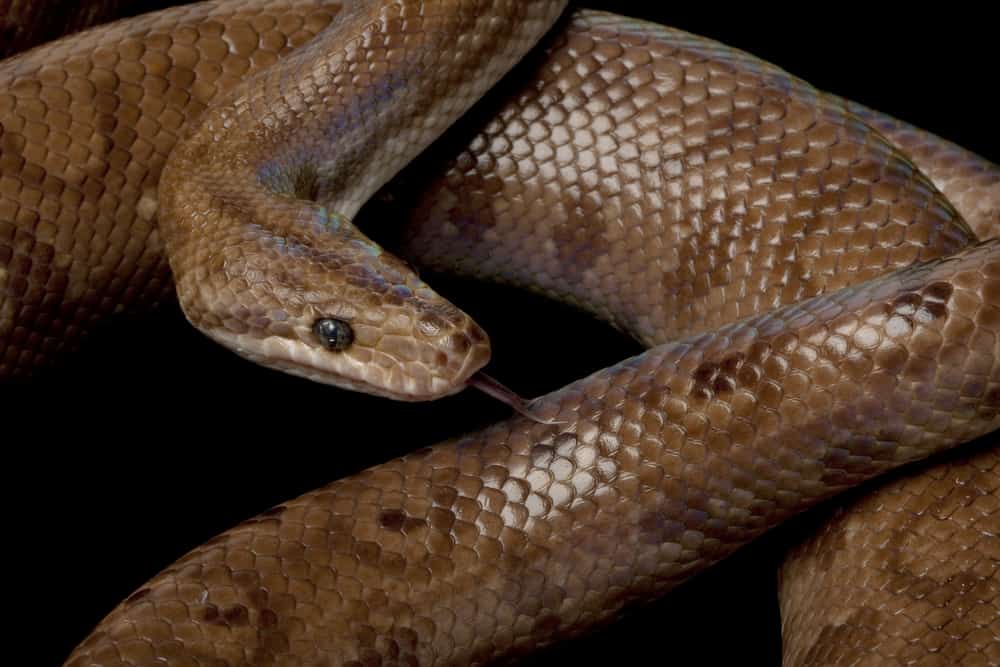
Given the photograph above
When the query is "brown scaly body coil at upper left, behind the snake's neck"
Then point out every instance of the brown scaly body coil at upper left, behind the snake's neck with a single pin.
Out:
(83, 144)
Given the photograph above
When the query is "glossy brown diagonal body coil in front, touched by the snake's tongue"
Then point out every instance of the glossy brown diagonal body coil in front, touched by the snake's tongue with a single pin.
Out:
(526, 533)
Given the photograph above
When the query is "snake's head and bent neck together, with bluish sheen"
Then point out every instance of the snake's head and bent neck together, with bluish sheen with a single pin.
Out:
(257, 202)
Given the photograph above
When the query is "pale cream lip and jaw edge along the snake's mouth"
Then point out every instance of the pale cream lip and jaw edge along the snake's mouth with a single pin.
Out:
(400, 381)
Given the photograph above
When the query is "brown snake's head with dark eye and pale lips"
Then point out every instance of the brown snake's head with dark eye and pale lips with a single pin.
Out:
(326, 303)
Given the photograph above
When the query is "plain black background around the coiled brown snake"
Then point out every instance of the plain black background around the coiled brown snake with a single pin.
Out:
(152, 440)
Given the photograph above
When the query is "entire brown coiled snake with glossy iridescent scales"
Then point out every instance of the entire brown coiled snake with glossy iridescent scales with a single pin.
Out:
(788, 359)
